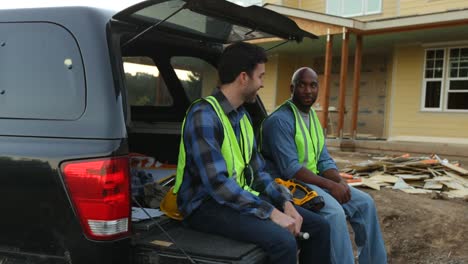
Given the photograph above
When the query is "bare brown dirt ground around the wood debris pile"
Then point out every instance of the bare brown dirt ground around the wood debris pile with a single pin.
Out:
(418, 228)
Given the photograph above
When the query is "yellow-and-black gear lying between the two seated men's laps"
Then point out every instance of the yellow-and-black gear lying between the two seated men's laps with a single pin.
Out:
(303, 195)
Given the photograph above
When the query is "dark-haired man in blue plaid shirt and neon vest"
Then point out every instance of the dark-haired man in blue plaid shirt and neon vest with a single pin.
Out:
(221, 186)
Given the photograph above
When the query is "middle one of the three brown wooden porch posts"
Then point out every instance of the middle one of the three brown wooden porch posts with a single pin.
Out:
(343, 75)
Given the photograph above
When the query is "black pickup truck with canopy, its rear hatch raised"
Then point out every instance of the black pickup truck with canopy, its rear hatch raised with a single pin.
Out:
(81, 88)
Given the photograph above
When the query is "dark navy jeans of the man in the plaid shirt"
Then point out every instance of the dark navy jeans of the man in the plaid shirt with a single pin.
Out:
(278, 243)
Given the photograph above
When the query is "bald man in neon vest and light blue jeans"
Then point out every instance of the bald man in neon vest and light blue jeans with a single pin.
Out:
(294, 147)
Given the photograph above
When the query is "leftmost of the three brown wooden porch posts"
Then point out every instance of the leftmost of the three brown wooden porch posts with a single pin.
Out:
(326, 81)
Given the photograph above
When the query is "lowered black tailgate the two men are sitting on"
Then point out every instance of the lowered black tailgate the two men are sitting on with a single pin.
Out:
(154, 247)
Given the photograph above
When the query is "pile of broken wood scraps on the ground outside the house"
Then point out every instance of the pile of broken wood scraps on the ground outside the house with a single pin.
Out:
(413, 175)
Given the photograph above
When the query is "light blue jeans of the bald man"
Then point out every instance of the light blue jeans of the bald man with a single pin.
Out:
(362, 216)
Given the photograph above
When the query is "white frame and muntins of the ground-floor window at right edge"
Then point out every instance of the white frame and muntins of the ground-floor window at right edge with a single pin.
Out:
(445, 84)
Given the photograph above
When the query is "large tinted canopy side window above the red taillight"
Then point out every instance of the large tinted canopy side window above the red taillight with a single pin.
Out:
(41, 72)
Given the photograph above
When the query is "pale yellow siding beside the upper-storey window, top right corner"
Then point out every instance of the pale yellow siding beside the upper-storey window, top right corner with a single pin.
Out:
(413, 7)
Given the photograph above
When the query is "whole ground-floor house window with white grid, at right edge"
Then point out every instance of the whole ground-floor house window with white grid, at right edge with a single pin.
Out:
(445, 80)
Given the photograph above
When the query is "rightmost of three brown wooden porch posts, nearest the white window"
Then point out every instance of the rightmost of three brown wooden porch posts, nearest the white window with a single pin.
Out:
(356, 84)
